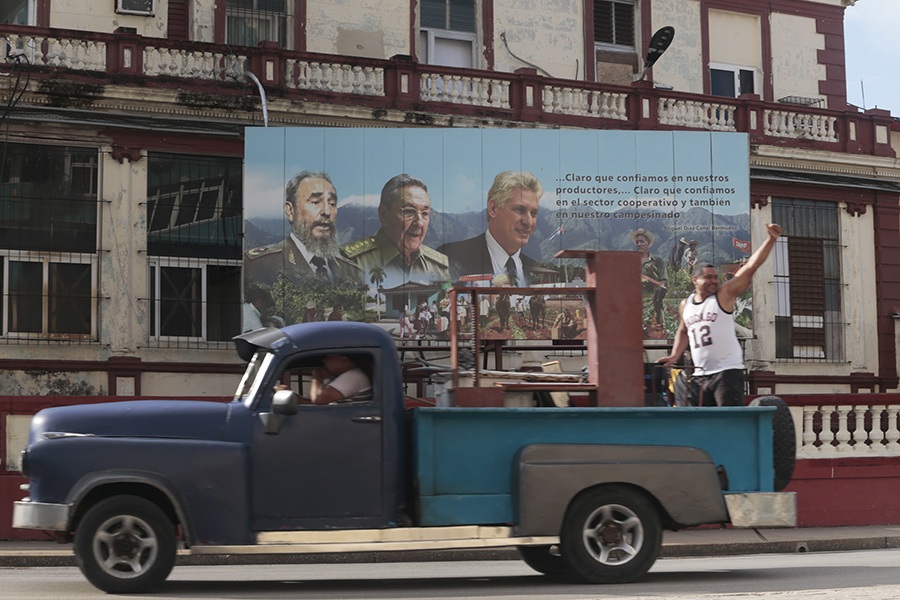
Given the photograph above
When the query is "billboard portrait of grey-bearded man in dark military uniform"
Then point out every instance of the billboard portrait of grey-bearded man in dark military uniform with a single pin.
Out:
(311, 251)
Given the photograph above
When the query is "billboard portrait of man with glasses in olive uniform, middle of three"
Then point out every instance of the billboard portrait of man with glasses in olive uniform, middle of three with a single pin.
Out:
(397, 247)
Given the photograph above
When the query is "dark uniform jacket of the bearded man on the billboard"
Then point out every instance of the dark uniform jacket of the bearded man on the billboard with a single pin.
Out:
(262, 265)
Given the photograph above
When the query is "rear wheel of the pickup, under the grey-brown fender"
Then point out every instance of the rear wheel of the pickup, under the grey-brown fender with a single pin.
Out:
(611, 535)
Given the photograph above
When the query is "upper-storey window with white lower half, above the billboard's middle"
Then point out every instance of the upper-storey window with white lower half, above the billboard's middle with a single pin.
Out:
(447, 32)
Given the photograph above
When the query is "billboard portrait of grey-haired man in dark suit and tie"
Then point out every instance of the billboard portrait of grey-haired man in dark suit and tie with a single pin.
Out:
(512, 209)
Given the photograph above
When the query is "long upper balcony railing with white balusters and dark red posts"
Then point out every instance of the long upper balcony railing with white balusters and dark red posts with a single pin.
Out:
(404, 85)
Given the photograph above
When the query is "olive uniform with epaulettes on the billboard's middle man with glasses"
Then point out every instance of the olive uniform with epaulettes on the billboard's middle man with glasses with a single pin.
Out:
(428, 265)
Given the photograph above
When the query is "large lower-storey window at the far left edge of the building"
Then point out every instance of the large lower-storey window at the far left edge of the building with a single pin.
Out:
(48, 242)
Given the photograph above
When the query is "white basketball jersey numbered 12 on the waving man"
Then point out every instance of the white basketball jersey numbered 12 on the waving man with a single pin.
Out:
(711, 336)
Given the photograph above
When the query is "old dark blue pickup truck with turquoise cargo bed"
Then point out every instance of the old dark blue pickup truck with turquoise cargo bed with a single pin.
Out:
(584, 493)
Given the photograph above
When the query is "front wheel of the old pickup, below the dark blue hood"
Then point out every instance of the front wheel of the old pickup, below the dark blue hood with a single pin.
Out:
(125, 545)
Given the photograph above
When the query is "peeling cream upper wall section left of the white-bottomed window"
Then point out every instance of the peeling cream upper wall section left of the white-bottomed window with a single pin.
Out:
(370, 28)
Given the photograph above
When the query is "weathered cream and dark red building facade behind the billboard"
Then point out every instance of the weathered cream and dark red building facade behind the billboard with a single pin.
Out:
(122, 192)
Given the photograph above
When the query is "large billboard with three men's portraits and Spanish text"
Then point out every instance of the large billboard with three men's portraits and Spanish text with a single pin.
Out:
(377, 224)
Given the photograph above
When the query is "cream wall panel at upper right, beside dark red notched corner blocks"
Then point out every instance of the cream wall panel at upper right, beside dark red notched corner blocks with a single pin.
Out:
(795, 46)
